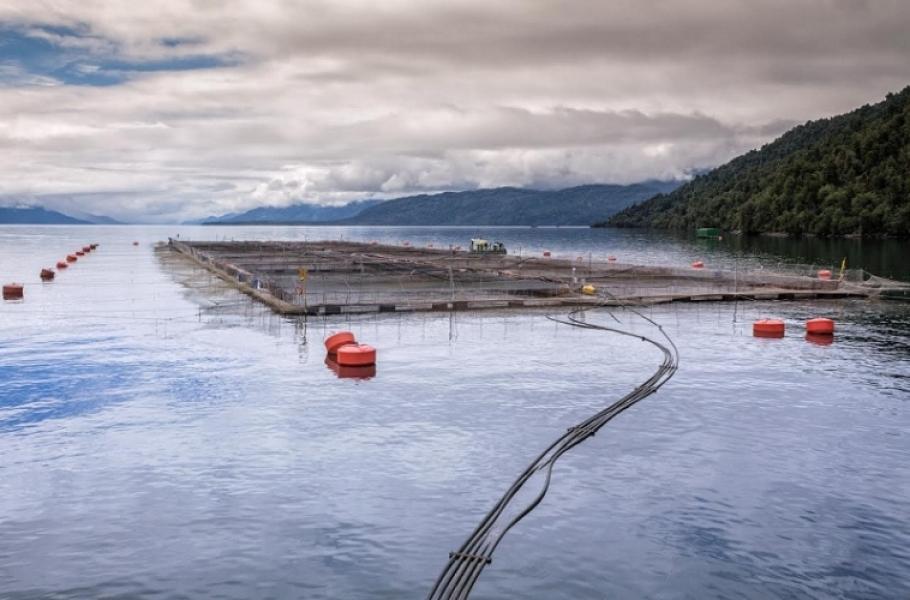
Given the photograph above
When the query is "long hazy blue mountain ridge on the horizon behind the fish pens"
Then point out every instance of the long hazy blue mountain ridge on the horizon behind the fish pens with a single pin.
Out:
(580, 205)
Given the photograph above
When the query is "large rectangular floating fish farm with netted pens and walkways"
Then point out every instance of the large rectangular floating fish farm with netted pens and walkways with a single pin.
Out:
(334, 277)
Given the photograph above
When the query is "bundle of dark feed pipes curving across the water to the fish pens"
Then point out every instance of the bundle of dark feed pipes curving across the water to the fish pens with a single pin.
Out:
(466, 564)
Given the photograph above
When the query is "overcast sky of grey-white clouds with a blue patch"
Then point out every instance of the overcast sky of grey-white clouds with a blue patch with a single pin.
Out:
(174, 109)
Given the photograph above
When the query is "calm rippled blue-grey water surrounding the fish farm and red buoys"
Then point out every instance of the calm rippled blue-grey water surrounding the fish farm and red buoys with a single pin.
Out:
(162, 436)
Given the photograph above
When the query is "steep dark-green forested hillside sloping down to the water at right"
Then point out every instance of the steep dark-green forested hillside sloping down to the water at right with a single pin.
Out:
(847, 175)
